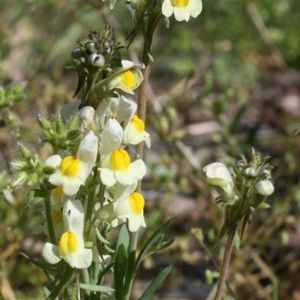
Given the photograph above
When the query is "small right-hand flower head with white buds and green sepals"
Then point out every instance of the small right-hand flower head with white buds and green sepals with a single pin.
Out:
(243, 188)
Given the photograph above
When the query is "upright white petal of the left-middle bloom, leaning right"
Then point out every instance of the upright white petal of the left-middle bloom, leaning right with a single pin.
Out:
(88, 148)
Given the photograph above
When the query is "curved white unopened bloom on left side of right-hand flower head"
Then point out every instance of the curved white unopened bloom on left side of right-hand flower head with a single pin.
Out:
(218, 174)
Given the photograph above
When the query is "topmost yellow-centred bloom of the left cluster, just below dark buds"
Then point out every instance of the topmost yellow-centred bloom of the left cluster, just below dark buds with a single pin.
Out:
(128, 78)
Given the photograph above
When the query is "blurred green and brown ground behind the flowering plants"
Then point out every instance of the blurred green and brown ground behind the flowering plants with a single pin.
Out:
(220, 84)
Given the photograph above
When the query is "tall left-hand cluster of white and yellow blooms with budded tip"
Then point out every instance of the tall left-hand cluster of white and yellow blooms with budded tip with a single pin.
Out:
(103, 174)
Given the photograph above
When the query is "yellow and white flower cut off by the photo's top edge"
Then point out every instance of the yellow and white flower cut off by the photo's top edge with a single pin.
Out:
(182, 9)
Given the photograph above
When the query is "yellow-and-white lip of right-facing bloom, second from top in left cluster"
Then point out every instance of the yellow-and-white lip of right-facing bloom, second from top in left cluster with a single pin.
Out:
(135, 133)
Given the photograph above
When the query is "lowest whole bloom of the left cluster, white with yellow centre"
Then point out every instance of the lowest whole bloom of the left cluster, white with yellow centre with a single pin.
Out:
(71, 244)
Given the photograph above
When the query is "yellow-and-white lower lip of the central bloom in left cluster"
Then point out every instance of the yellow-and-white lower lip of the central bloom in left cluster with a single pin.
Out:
(118, 167)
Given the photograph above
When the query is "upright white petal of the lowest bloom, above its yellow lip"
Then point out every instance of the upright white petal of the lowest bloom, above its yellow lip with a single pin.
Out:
(74, 219)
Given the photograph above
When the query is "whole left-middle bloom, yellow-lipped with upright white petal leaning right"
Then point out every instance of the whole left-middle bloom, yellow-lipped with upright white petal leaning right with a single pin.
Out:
(72, 171)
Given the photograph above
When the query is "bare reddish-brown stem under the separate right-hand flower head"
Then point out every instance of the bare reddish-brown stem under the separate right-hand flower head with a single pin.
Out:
(225, 265)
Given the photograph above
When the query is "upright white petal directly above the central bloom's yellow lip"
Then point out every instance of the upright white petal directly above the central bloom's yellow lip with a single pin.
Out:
(111, 137)
